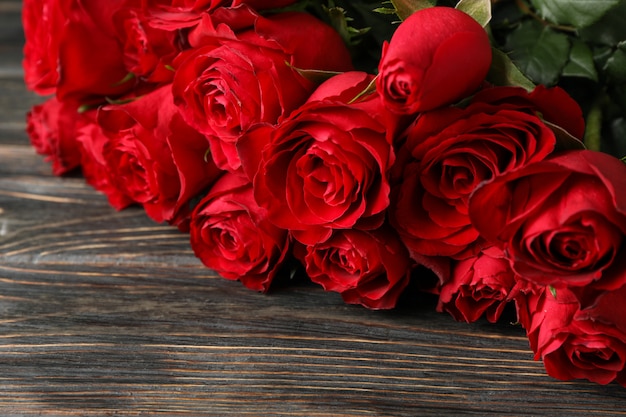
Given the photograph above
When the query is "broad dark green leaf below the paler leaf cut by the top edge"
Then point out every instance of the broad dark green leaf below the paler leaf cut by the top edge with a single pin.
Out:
(540, 52)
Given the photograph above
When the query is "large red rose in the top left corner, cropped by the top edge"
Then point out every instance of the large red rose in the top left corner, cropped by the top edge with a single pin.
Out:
(65, 40)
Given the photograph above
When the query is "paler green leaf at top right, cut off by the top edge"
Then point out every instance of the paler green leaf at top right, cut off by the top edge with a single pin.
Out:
(579, 13)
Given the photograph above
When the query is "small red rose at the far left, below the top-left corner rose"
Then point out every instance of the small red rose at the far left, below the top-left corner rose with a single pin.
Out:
(52, 128)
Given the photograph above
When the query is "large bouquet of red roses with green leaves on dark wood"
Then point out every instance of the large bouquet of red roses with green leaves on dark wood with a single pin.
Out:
(374, 143)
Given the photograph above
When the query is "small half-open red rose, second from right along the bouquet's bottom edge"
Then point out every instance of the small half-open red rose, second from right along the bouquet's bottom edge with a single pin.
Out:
(479, 285)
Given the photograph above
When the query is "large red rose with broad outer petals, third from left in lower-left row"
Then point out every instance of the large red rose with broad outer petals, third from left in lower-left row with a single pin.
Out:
(154, 157)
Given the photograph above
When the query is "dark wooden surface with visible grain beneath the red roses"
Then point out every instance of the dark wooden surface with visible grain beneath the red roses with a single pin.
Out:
(105, 313)
